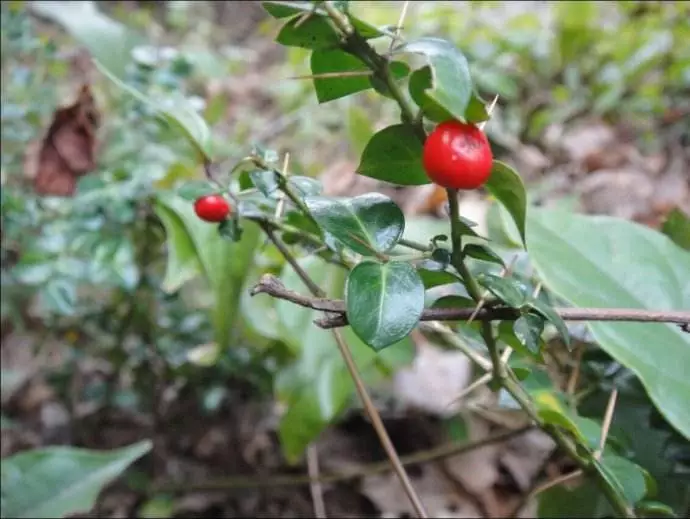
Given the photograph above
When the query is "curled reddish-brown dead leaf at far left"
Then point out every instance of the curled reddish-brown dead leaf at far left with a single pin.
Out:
(68, 149)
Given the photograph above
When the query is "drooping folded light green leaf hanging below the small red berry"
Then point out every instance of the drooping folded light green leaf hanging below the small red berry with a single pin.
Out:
(223, 263)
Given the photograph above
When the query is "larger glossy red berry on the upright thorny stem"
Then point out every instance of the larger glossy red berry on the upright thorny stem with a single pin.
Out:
(457, 155)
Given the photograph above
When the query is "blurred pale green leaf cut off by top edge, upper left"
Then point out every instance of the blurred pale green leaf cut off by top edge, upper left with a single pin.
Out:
(108, 41)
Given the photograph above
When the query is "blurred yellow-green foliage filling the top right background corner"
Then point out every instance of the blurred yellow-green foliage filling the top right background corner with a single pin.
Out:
(567, 60)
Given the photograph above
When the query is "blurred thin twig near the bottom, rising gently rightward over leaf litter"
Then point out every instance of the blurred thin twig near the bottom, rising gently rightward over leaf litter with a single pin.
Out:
(440, 452)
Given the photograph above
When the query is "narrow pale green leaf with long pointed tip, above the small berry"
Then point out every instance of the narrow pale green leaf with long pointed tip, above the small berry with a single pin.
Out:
(176, 111)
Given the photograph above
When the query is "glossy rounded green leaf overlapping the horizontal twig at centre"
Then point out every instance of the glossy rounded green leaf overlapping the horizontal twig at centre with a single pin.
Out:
(384, 301)
